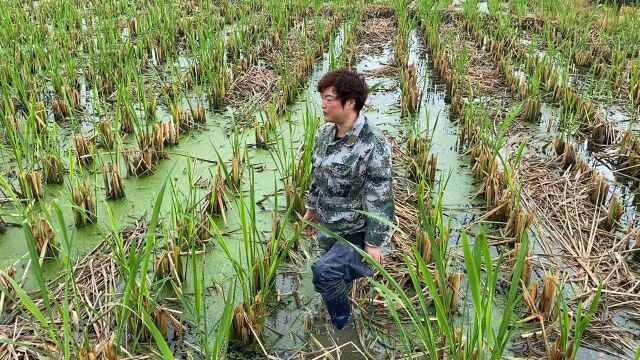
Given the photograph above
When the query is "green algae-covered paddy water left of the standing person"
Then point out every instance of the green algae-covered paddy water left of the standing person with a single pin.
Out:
(142, 192)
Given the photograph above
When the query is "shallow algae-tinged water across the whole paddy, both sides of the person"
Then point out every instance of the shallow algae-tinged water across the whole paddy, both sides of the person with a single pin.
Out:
(298, 301)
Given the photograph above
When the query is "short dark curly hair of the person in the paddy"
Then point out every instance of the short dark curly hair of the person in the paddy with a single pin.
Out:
(348, 84)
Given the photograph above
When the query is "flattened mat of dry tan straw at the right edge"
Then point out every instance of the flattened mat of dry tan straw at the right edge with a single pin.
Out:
(570, 237)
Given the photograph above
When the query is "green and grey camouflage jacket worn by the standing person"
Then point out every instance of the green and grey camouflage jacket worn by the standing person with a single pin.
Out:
(349, 174)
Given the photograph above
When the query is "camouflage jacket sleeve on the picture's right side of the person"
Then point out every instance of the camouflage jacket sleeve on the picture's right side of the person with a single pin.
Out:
(378, 194)
